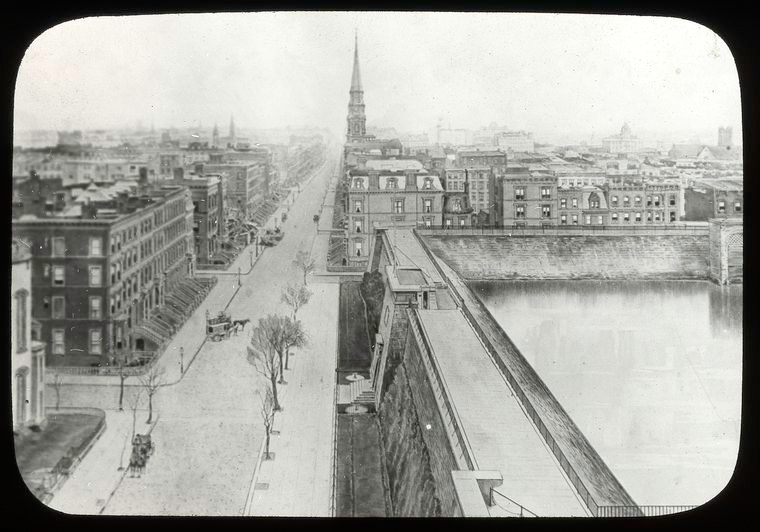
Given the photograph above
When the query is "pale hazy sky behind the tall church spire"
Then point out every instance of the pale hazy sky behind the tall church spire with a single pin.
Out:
(551, 74)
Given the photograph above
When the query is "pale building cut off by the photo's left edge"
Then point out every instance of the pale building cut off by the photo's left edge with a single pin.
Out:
(27, 355)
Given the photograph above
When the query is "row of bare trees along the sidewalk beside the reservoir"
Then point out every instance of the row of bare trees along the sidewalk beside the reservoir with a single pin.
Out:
(272, 340)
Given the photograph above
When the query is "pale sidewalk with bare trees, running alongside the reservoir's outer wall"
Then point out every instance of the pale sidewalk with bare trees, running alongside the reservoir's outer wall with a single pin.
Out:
(297, 482)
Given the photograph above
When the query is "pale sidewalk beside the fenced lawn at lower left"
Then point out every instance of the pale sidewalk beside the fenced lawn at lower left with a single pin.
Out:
(97, 476)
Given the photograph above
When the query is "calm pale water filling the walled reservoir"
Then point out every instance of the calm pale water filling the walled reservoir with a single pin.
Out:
(651, 372)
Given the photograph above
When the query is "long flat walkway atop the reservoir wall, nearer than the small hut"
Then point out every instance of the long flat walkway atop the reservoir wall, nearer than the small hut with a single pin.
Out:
(500, 434)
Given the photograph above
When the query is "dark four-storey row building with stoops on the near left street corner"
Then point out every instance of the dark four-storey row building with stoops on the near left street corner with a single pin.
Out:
(98, 277)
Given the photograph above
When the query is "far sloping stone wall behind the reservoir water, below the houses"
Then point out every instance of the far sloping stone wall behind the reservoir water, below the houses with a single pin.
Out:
(575, 257)
